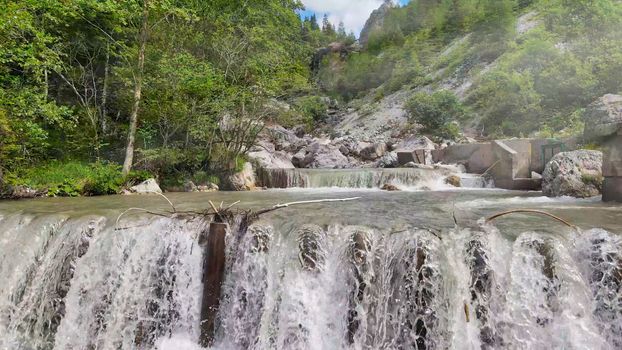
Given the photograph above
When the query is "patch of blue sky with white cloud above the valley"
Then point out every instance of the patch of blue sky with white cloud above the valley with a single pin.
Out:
(353, 13)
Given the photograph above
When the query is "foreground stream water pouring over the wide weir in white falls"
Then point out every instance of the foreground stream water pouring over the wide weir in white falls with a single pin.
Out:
(387, 271)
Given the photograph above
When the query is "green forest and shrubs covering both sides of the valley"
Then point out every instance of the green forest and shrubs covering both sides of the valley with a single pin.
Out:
(95, 94)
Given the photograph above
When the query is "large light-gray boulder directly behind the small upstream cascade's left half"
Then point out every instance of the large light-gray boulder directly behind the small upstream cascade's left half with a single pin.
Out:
(319, 155)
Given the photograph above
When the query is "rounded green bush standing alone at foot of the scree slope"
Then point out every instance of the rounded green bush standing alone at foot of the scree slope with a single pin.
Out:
(438, 113)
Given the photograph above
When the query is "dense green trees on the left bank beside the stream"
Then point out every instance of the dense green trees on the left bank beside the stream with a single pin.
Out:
(157, 85)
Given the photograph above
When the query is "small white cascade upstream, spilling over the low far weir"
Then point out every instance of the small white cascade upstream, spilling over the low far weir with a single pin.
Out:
(407, 178)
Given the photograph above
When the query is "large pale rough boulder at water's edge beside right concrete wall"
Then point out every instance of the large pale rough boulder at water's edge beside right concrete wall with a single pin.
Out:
(576, 174)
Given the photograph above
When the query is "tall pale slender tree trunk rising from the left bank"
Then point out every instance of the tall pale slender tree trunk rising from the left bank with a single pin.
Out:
(129, 151)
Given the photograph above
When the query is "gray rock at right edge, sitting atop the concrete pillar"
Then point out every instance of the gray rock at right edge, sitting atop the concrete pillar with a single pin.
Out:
(603, 117)
